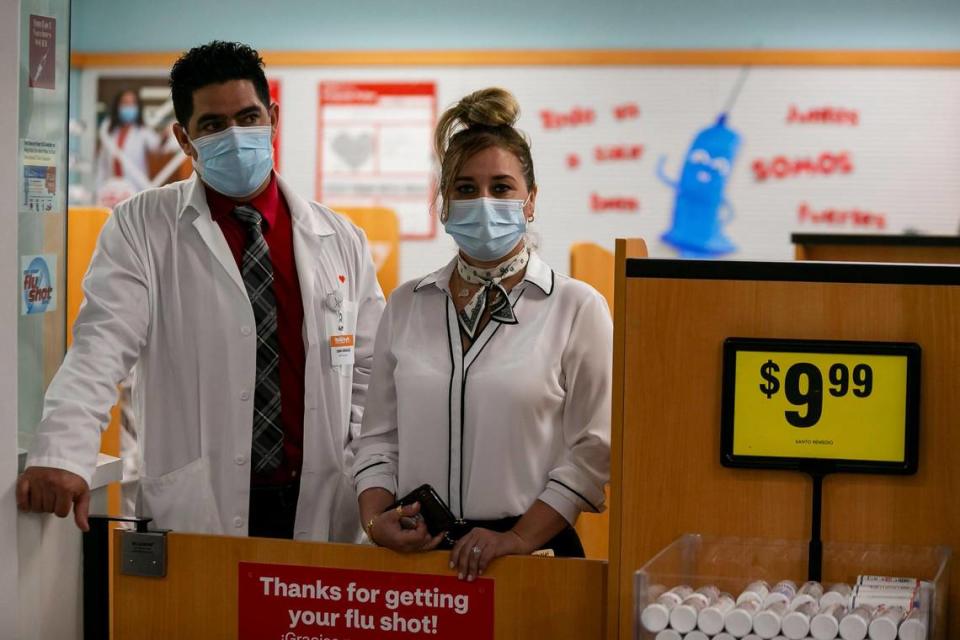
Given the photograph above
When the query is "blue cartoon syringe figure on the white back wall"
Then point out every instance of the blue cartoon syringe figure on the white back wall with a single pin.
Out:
(697, 229)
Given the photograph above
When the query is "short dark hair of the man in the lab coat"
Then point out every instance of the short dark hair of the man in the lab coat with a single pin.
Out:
(214, 63)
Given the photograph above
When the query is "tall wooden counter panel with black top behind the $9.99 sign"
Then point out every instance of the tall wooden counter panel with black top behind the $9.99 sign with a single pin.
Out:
(671, 319)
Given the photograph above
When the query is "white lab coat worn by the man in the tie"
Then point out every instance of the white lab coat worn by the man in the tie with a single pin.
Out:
(164, 293)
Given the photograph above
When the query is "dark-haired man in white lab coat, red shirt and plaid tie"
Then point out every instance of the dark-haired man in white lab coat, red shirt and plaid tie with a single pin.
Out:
(249, 314)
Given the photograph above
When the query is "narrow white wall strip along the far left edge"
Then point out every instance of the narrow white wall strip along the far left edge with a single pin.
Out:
(9, 58)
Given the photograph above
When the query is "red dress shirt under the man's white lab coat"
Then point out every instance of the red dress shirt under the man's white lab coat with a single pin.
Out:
(277, 228)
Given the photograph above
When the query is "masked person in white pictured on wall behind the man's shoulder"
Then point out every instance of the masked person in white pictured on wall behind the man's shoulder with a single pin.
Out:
(123, 144)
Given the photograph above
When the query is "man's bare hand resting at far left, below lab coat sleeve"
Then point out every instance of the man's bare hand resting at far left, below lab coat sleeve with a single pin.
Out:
(49, 490)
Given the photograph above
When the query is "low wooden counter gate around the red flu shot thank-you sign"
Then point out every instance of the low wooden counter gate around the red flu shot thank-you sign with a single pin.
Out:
(533, 597)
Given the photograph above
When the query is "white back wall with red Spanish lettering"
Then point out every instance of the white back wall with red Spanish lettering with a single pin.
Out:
(901, 170)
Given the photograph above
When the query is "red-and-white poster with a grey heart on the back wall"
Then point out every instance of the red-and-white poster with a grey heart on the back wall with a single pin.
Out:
(375, 149)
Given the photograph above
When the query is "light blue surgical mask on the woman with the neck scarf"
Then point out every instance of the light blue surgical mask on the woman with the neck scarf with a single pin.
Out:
(486, 228)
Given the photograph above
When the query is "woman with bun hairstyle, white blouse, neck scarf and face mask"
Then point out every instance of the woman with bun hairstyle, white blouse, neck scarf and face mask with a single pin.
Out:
(492, 375)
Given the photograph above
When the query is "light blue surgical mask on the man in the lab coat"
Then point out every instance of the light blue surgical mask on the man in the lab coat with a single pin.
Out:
(235, 161)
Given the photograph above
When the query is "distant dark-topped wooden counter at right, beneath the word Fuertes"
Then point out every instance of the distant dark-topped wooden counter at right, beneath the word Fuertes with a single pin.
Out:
(851, 247)
